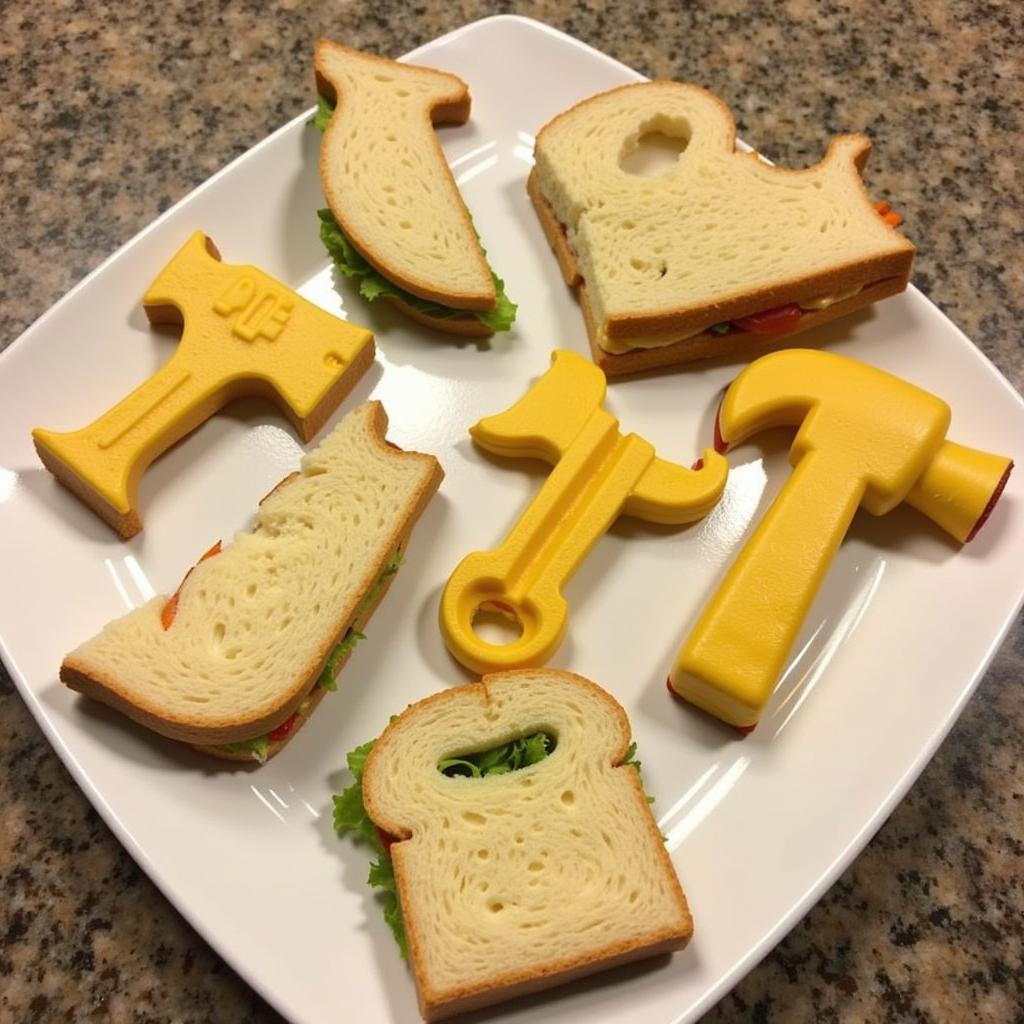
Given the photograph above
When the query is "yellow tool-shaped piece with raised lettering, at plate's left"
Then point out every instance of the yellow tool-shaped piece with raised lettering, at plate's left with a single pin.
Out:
(244, 333)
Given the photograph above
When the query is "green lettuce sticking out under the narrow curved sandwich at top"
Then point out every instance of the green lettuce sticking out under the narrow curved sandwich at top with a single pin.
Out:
(373, 285)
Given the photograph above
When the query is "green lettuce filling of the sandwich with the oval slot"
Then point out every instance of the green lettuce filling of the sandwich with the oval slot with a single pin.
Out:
(351, 814)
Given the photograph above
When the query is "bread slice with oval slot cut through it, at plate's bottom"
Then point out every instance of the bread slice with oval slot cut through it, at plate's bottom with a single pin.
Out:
(510, 884)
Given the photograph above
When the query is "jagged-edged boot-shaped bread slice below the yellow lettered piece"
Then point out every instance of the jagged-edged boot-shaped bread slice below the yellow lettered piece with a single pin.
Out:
(254, 625)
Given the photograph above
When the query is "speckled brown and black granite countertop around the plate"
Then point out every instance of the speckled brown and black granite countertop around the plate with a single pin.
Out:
(113, 112)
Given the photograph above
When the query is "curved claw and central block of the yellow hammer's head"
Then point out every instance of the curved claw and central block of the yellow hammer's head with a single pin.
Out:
(878, 428)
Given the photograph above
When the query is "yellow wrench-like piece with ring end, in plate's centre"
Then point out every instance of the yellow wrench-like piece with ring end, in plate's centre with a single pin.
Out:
(599, 476)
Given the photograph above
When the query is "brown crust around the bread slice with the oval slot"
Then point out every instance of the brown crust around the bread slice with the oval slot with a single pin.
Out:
(438, 1006)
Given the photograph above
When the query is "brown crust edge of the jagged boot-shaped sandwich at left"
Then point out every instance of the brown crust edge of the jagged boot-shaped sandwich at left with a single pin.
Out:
(200, 731)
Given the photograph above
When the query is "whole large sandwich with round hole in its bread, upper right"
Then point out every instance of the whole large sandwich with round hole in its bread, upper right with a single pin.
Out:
(716, 251)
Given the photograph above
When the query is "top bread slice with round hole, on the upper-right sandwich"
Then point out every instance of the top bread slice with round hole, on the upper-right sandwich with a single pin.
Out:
(715, 226)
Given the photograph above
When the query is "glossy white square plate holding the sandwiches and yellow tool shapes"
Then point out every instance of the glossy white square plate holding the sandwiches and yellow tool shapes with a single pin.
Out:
(758, 828)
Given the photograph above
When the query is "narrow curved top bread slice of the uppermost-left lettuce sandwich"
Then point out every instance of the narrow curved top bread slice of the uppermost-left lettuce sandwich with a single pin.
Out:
(387, 180)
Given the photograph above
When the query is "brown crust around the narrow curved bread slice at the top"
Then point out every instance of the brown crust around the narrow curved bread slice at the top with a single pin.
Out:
(454, 109)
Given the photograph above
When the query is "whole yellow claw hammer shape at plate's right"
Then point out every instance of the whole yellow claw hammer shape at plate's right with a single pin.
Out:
(866, 440)
